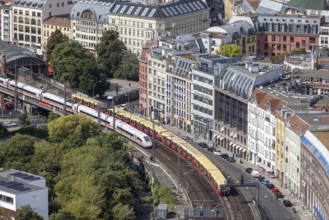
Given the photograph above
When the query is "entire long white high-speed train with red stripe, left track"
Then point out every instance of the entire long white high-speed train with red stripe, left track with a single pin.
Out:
(121, 127)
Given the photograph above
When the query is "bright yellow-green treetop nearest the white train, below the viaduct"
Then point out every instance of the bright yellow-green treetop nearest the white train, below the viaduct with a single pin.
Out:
(72, 130)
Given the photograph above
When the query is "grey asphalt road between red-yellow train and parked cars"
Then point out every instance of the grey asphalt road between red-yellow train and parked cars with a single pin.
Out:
(269, 207)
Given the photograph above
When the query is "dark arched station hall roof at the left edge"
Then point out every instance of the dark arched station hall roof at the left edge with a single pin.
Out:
(18, 55)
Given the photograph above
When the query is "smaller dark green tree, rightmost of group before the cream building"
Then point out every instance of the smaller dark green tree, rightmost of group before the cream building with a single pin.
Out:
(129, 67)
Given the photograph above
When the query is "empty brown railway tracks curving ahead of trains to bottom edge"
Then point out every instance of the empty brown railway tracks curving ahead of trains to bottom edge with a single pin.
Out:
(199, 189)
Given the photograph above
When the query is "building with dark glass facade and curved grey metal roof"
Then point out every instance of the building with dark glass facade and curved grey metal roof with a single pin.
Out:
(233, 88)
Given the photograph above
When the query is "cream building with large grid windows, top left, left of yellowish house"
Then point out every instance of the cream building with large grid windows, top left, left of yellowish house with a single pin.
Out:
(28, 17)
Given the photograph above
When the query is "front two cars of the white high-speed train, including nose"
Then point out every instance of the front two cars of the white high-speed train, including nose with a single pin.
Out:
(121, 127)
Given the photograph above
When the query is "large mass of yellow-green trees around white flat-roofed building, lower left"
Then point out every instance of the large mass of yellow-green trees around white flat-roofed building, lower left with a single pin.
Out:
(88, 173)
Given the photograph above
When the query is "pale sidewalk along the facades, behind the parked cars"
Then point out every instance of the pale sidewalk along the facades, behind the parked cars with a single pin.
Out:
(303, 213)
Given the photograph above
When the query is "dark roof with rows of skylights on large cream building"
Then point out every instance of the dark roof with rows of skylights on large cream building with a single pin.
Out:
(157, 11)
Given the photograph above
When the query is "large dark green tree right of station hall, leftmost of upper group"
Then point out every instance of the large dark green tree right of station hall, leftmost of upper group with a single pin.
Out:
(78, 68)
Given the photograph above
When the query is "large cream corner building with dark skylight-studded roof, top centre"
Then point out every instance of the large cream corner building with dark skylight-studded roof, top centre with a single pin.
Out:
(137, 23)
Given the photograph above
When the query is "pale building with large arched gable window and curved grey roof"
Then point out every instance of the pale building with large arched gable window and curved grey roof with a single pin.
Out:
(89, 19)
